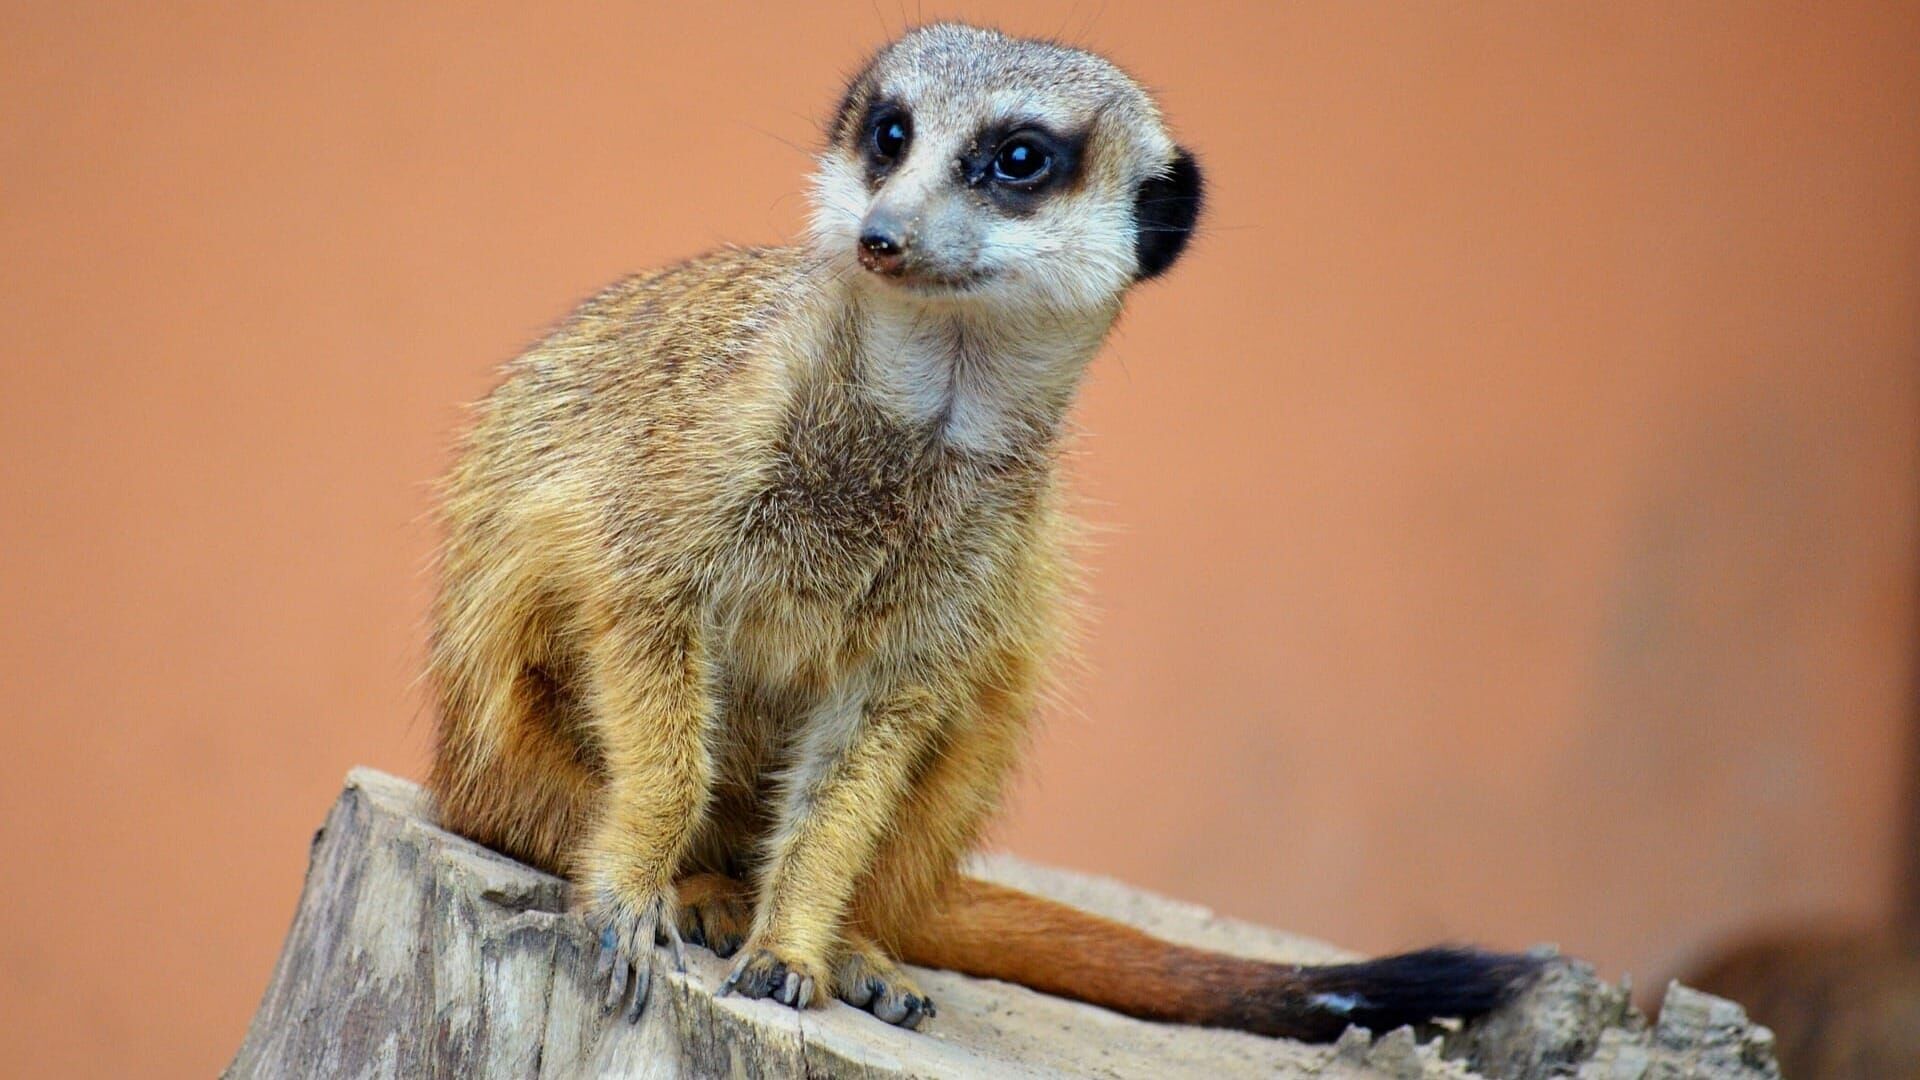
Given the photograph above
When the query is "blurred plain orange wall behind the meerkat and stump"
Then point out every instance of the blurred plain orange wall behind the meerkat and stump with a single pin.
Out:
(1508, 508)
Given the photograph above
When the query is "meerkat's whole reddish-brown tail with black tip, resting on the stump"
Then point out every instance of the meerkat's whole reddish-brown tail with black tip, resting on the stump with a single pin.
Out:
(999, 933)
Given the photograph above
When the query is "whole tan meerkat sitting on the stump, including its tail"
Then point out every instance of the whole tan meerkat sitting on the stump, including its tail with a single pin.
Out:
(756, 570)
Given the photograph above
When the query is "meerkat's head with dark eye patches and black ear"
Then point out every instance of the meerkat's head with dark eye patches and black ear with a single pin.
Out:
(969, 168)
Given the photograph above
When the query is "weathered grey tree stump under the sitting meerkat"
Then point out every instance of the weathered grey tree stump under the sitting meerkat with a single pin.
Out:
(421, 954)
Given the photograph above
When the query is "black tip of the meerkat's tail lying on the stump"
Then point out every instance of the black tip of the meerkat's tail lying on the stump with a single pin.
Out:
(1412, 989)
